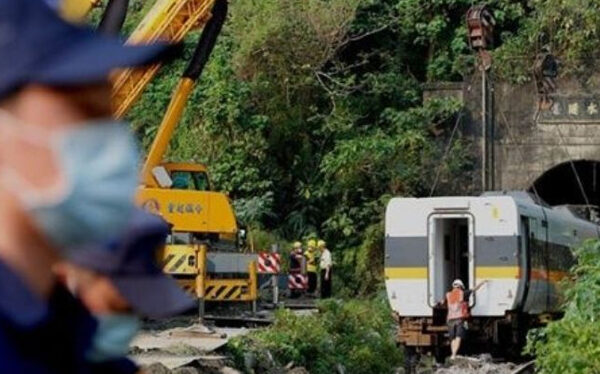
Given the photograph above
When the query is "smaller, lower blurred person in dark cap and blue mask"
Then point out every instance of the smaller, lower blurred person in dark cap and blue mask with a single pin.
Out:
(120, 284)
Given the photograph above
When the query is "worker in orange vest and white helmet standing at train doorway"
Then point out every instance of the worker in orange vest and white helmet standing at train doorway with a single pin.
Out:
(457, 301)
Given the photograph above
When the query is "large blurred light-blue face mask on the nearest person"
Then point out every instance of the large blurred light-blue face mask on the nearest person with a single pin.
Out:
(99, 163)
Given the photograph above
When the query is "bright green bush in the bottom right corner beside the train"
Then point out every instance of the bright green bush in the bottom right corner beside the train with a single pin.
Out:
(572, 344)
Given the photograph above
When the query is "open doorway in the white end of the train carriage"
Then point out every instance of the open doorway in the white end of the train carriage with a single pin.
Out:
(451, 253)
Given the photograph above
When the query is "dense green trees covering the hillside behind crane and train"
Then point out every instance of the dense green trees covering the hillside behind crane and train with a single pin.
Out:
(310, 113)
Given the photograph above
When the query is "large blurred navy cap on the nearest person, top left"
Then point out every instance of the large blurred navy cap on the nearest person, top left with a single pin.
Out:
(37, 46)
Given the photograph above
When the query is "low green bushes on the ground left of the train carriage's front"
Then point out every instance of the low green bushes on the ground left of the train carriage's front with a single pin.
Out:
(355, 334)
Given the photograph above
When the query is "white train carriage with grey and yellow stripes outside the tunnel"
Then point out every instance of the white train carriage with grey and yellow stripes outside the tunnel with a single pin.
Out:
(522, 247)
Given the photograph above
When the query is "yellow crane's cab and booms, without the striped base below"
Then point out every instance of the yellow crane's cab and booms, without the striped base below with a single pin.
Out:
(184, 198)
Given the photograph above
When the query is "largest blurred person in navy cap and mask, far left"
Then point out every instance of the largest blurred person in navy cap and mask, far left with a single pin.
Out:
(67, 177)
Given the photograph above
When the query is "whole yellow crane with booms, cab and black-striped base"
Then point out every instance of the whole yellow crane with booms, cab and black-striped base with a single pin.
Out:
(181, 193)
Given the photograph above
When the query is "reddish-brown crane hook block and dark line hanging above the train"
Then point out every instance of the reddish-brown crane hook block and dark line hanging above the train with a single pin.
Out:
(480, 26)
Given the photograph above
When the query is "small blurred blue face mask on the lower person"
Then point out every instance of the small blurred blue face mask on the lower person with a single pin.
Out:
(112, 337)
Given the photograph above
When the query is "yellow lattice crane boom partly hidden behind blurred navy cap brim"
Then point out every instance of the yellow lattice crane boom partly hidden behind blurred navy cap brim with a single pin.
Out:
(168, 20)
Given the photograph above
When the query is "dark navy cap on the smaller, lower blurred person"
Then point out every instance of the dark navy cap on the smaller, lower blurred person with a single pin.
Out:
(130, 263)
